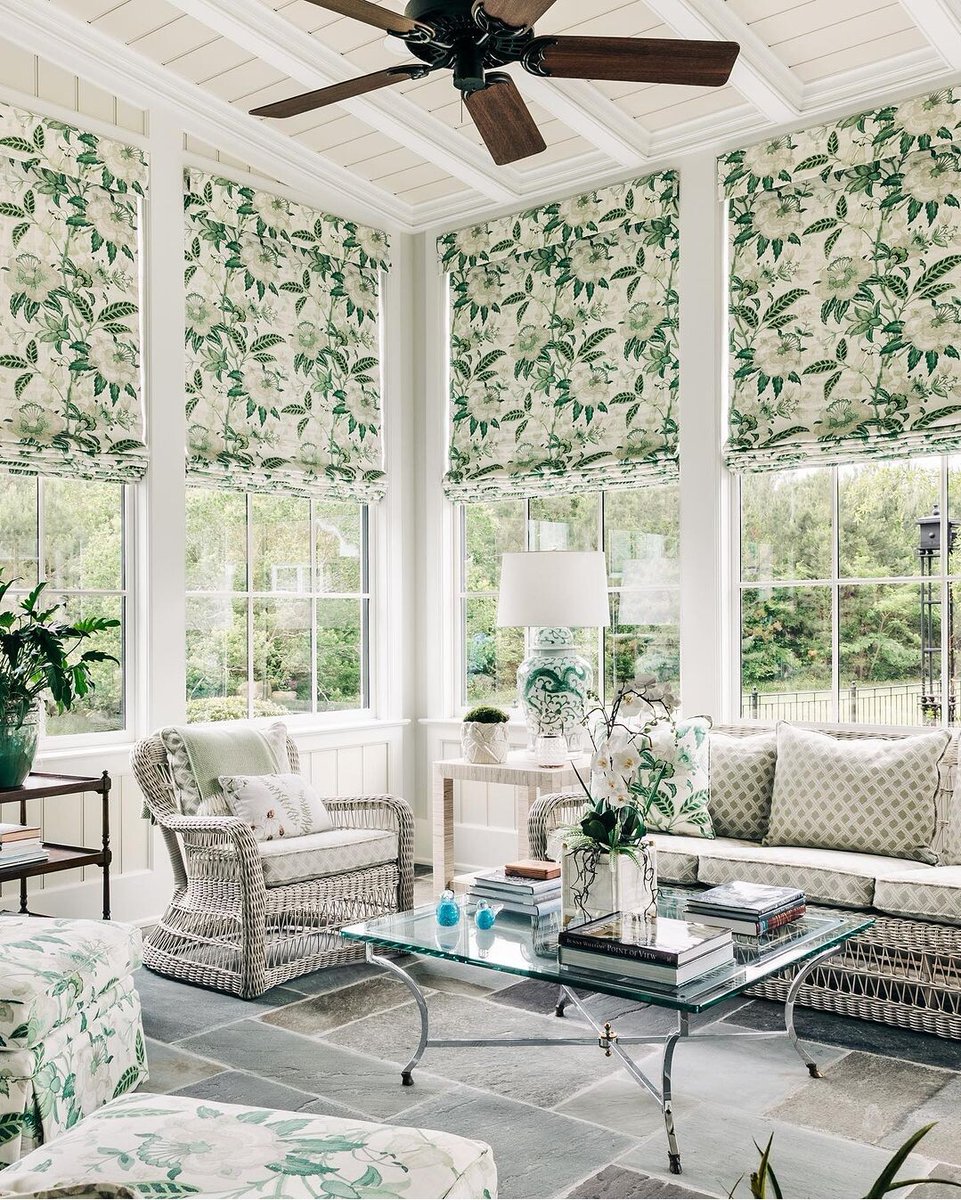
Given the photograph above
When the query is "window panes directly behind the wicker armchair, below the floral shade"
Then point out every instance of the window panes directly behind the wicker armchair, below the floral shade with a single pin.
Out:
(278, 605)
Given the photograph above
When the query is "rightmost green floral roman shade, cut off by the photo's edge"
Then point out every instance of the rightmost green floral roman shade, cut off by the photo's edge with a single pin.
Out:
(846, 289)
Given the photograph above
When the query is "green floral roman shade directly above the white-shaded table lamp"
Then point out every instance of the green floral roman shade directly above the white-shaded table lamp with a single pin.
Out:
(564, 345)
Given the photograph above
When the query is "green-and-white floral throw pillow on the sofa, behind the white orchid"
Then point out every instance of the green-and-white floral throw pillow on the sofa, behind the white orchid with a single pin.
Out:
(681, 805)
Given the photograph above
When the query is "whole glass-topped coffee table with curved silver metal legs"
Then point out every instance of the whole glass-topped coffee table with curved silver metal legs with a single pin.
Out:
(520, 947)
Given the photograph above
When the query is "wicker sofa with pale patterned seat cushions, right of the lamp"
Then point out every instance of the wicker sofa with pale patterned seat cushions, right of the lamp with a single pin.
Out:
(905, 971)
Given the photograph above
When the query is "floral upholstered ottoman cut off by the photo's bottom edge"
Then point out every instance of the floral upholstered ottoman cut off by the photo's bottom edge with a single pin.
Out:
(173, 1147)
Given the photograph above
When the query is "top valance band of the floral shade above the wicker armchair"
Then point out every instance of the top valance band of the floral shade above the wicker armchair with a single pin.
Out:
(225, 207)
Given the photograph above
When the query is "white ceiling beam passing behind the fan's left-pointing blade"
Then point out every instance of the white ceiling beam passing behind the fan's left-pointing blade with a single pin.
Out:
(277, 41)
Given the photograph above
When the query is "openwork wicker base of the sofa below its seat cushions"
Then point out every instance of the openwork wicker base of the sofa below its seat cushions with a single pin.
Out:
(900, 973)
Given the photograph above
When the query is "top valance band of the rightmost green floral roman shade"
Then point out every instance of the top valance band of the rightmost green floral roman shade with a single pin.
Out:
(855, 153)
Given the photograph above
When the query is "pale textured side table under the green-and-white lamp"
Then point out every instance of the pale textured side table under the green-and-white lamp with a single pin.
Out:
(521, 771)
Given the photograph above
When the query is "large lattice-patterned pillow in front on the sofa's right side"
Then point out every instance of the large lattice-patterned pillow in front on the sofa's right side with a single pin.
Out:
(876, 796)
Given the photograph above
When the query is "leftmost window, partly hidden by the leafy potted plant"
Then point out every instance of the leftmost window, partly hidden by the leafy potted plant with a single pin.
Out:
(71, 533)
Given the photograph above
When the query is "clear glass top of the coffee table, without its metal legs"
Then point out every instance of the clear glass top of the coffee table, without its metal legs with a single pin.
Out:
(524, 947)
